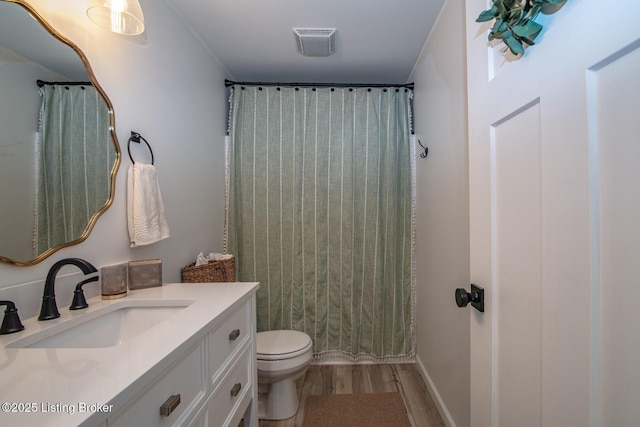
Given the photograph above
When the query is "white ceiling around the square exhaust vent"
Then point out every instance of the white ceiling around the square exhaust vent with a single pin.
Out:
(377, 41)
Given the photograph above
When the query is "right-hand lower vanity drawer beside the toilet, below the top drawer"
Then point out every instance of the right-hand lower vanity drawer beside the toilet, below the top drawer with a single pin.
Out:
(230, 394)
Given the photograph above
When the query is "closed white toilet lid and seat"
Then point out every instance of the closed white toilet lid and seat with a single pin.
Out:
(273, 345)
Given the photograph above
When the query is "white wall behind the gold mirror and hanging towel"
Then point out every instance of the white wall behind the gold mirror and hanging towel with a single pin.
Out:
(166, 86)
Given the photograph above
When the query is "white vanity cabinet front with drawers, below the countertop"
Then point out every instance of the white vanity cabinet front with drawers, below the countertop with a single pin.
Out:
(213, 384)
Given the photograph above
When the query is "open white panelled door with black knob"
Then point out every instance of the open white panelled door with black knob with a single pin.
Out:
(554, 158)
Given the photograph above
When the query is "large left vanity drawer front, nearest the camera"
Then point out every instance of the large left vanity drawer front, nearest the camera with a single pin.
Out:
(186, 379)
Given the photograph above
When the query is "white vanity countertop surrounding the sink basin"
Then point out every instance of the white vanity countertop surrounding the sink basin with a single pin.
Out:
(64, 386)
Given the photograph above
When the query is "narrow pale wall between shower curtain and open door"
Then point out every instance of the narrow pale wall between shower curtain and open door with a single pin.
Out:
(443, 214)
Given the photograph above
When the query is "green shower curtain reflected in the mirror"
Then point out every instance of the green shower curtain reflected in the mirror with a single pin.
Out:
(75, 155)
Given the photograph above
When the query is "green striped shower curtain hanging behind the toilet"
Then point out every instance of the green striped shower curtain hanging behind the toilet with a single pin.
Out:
(320, 202)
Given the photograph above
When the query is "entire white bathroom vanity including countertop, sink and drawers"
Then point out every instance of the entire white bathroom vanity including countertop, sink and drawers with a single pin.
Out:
(197, 364)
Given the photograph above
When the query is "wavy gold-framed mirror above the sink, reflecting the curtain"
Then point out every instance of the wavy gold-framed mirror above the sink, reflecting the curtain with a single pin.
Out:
(59, 153)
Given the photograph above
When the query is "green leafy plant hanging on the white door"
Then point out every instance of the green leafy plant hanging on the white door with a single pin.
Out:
(515, 22)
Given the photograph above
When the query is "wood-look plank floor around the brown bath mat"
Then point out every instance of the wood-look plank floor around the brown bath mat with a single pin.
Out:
(341, 379)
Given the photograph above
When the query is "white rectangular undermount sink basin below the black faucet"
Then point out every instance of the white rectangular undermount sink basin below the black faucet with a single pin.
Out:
(105, 327)
